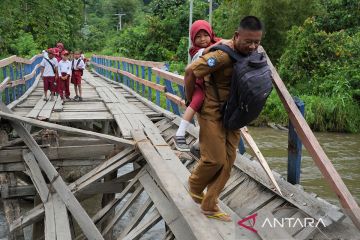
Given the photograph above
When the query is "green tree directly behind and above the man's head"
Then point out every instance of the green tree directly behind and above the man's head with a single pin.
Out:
(278, 17)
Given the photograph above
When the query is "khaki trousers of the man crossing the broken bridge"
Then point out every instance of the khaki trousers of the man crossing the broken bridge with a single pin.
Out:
(218, 153)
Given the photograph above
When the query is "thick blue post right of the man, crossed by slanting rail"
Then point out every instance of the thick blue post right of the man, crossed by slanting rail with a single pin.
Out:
(294, 149)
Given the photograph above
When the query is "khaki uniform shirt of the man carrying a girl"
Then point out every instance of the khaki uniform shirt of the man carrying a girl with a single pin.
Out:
(222, 72)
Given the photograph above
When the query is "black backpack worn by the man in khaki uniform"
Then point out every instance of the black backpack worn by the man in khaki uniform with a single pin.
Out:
(251, 84)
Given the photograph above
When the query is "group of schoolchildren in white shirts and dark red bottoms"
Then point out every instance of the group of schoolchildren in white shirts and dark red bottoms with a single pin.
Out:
(58, 69)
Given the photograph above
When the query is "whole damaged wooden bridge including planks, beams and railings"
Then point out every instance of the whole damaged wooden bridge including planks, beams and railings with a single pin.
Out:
(119, 141)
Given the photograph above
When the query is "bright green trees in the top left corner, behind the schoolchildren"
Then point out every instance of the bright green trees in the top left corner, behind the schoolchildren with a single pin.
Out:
(44, 21)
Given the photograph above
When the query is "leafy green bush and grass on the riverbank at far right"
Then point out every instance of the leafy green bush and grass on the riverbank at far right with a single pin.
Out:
(321, 65)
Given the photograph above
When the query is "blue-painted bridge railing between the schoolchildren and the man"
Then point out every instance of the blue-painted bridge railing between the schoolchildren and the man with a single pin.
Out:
(150, 79)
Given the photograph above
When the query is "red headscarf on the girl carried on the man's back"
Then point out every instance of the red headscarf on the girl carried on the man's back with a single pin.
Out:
(195, 28)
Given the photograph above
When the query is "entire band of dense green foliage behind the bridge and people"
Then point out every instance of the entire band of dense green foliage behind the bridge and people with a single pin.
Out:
(313, 43)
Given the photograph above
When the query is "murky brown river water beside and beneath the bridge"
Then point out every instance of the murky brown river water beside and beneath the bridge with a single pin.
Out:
(342, 149)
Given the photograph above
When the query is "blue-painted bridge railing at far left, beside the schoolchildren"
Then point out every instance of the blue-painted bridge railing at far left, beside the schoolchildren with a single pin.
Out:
(17, 75)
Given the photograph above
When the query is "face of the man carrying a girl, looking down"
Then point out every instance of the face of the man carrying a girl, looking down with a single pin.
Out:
(246, 41)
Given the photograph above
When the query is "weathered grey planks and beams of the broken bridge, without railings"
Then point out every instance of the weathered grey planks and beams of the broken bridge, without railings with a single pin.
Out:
(159, 174)
